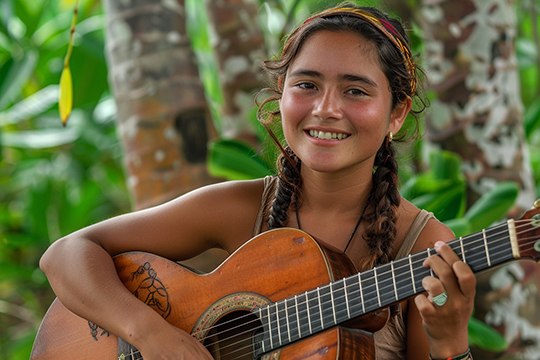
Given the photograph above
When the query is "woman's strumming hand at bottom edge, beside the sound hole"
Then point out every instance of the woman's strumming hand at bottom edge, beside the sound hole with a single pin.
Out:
(174, 345)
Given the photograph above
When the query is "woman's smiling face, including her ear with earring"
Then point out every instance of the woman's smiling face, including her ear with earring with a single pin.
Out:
(336, 106)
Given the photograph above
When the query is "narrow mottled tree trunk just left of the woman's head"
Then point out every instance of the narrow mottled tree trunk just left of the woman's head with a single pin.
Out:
(239, 47)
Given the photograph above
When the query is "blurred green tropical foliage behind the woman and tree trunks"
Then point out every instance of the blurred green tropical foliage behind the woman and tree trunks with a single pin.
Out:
(55, 180)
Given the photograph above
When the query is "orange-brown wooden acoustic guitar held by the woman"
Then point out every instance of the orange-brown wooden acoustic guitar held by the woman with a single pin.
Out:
(281, 295)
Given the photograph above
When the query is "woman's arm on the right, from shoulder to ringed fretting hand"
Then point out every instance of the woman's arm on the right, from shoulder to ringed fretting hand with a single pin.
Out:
(440, 330)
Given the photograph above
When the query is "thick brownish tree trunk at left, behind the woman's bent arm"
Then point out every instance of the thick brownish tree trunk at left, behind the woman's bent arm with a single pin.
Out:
(163, 117)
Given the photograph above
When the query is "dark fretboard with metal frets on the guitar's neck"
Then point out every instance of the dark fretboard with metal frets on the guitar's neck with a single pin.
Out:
(310, 312)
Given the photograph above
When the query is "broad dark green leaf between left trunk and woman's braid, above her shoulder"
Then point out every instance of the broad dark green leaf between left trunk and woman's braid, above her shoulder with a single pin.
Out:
(235, 160)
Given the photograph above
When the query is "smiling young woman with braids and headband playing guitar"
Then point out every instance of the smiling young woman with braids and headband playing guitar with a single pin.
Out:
(346, 81)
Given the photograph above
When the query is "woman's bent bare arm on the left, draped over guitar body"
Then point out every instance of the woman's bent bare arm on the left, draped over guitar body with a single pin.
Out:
(81, 272)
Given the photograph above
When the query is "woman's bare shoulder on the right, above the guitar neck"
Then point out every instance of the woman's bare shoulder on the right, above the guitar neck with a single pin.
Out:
(433, 231)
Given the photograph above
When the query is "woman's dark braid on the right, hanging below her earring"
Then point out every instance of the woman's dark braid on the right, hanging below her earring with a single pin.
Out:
(381, 211)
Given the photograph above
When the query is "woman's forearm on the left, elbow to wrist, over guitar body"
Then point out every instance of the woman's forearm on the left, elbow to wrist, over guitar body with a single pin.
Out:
(84, 278)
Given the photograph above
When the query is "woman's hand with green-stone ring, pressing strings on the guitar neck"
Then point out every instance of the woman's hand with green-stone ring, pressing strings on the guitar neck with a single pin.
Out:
(446, 325)
